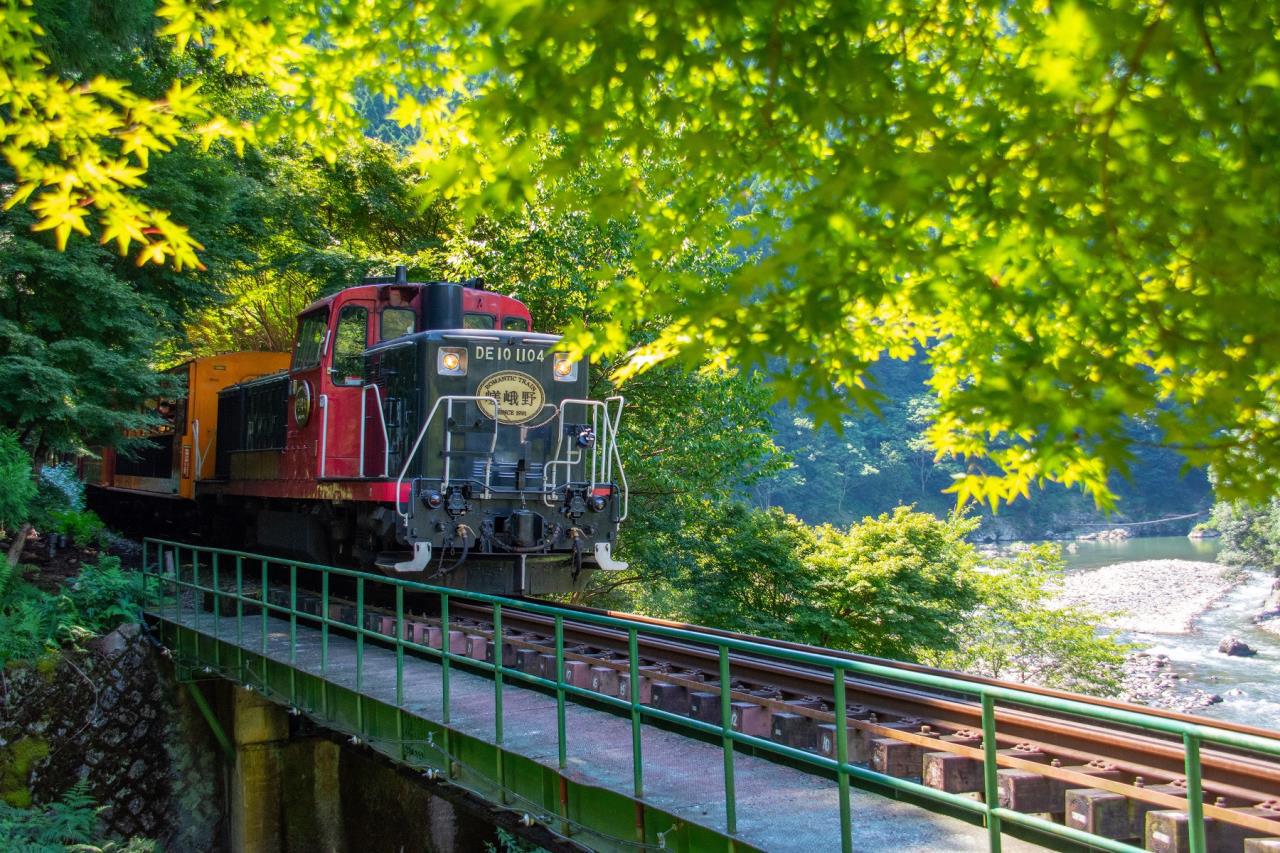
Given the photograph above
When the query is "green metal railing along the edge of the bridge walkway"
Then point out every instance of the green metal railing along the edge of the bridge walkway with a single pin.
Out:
(164, 562)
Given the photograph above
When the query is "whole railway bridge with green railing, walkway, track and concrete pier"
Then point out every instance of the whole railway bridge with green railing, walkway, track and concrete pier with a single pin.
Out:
(620, 733)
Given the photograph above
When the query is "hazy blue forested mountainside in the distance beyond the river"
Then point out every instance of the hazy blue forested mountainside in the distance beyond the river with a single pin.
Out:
(883, 460)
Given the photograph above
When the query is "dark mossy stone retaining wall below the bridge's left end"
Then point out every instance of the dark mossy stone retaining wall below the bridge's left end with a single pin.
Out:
(116, 718)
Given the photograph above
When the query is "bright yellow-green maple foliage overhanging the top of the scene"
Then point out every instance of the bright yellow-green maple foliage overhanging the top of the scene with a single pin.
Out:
(1073, 202)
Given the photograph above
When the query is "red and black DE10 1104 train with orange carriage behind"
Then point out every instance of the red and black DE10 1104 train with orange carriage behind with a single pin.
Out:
(418, 427)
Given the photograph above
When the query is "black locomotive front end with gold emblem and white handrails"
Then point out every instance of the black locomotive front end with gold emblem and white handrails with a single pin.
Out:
(514, 478)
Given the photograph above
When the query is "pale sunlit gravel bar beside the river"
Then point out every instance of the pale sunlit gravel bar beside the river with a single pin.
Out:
(1150, 597)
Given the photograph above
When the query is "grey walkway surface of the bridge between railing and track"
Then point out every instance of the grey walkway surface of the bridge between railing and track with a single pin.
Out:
(779, 808)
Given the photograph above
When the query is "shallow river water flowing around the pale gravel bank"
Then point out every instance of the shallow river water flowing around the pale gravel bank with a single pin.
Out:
(1250, 686)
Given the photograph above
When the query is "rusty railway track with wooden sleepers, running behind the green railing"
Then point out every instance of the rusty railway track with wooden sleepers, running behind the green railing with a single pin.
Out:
(1101, 779)
